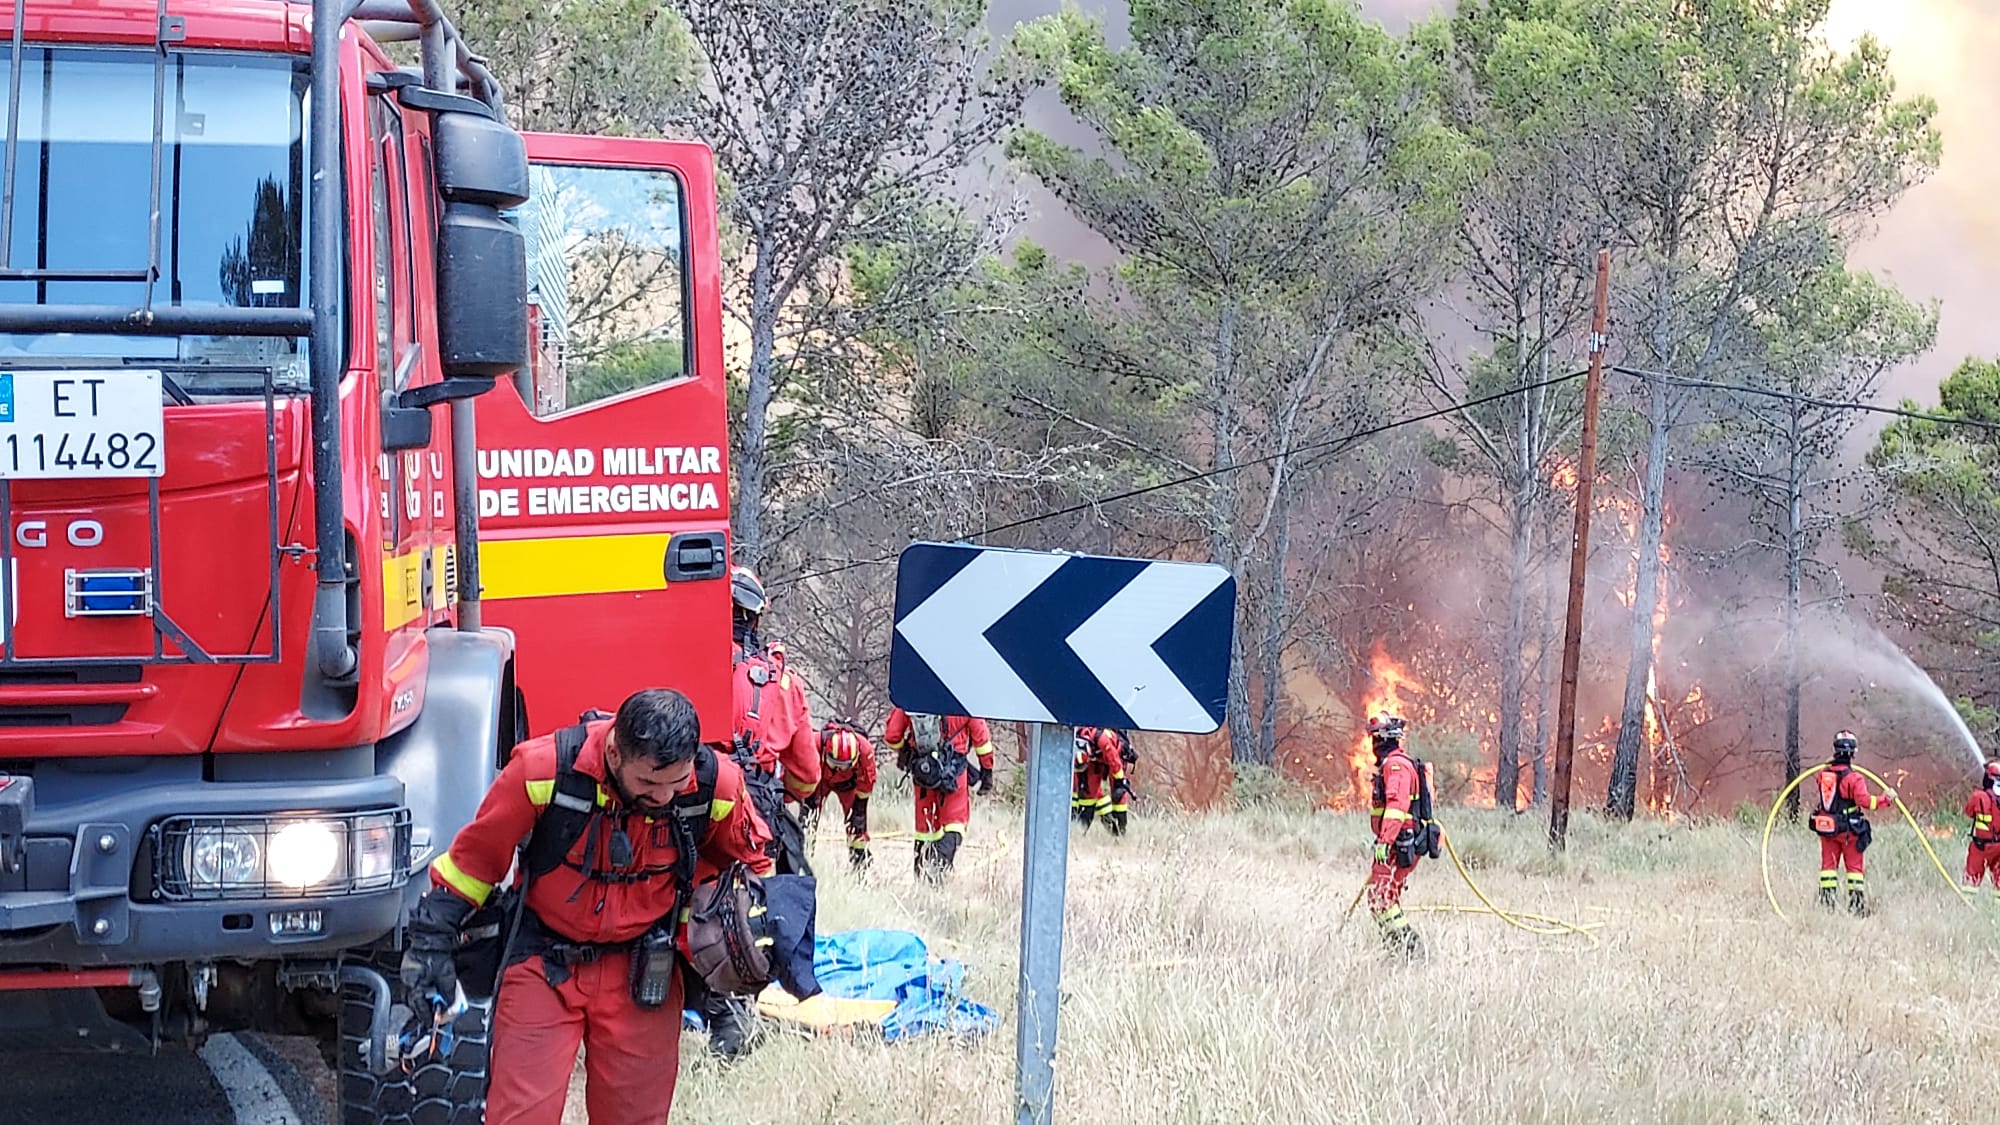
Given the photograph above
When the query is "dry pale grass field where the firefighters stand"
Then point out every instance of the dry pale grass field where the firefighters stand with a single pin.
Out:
(1205, 982)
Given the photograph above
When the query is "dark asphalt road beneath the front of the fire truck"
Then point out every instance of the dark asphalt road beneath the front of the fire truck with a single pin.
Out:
(235, 1080)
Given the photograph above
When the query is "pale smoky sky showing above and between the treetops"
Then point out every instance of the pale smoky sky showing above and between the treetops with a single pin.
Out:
(1943, 241)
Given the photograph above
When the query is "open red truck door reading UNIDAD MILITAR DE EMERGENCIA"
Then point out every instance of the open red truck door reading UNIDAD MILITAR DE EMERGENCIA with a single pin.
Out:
(605, 465)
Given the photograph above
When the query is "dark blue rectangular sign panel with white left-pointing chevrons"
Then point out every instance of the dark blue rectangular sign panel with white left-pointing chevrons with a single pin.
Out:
(1073, 640)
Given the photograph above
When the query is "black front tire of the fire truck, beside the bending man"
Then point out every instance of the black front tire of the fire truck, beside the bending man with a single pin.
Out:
(443, 1090)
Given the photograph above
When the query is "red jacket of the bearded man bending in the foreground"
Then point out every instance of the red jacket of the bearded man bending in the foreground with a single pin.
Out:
(569, 904)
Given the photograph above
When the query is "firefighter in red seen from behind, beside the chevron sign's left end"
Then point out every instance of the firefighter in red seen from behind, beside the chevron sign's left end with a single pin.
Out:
(935, 752)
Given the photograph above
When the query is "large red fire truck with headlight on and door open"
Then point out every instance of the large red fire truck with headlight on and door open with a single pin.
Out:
(347, 437)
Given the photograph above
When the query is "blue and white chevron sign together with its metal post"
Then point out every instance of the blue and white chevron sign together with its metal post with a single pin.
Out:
(1059, 642)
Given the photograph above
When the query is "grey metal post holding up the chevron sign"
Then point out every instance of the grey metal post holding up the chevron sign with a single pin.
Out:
(1045, 874)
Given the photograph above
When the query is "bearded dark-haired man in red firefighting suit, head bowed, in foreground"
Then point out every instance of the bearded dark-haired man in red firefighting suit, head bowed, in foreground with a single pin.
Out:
(571, 976)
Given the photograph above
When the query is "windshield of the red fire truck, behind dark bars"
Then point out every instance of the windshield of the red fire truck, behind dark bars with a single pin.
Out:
(233, 203)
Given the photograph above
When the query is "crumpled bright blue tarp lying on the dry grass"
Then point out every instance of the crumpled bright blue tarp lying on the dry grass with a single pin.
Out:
(895, 966)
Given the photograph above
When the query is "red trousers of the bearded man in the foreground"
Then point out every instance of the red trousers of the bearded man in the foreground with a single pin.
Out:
(631, 1060)
